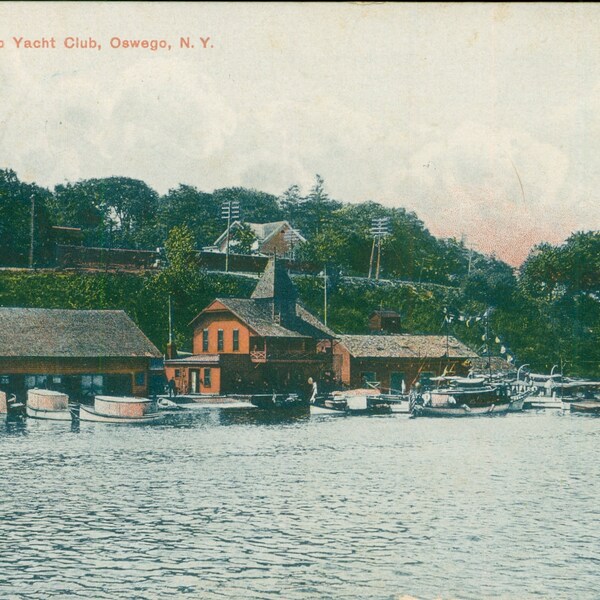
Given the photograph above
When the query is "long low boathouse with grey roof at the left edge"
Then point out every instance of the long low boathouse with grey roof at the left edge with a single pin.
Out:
(78, 352)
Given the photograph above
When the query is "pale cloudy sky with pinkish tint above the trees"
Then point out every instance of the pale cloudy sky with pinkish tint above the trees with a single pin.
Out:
(483, 119)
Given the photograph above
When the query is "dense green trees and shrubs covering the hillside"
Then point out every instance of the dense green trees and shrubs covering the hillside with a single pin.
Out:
(545, 313)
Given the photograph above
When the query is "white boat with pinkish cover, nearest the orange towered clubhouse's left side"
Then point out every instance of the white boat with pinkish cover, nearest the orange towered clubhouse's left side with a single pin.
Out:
(121, 409)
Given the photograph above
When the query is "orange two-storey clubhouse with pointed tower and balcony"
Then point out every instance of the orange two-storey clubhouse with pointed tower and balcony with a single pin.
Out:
(259, 344)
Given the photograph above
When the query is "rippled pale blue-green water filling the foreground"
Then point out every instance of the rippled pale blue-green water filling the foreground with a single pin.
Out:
(234, 504)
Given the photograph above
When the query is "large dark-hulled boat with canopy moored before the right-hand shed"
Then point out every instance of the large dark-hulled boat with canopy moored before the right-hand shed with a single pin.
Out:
(462, 397)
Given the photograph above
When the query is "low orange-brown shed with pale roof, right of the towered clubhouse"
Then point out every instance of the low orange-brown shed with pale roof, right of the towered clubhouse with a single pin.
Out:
(396, 362)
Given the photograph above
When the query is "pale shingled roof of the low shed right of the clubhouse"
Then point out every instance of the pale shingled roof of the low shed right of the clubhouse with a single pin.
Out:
(404, 346)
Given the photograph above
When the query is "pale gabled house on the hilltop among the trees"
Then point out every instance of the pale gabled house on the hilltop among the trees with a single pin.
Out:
(271, 238)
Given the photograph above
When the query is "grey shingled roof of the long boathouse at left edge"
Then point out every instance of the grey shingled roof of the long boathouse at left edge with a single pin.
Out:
(57, 333)
